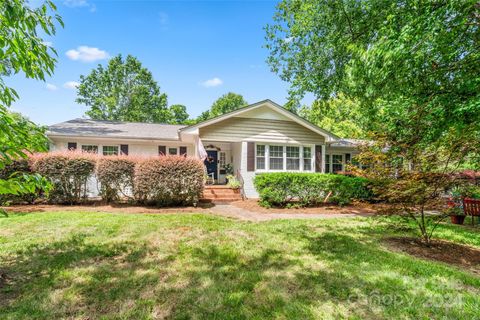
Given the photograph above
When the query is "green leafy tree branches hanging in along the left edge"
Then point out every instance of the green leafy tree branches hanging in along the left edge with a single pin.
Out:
(23, 51)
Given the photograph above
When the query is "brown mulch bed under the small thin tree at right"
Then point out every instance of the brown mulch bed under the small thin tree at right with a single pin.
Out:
(451, 253)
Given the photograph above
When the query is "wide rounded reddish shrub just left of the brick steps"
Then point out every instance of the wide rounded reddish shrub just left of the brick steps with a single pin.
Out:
(169, 180)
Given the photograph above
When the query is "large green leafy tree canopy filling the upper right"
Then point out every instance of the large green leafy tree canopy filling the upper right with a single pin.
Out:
(412, 67)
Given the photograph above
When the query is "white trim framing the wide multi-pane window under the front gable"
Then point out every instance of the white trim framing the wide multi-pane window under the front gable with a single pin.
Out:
(267, 157)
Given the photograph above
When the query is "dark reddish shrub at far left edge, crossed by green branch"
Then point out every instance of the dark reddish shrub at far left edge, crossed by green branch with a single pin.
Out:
(17, 167)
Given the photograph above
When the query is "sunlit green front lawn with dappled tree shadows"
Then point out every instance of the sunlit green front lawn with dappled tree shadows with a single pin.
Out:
(81, 265)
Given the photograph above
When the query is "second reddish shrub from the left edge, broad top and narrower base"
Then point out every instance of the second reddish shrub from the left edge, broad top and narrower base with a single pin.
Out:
(69, 173)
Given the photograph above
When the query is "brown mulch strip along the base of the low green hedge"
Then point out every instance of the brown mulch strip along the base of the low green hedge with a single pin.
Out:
(357, 208)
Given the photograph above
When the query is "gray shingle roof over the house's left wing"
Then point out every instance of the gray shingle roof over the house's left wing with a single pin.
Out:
(115, 129)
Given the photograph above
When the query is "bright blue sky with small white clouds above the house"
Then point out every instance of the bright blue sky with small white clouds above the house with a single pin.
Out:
(196, 50)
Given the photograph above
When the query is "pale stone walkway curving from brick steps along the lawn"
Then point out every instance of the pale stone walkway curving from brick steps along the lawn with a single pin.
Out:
(230, 211)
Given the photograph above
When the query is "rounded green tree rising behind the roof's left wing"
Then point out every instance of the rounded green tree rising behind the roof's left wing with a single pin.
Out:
(123, 91)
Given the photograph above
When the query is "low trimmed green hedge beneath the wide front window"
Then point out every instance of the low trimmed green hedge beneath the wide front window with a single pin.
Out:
(308, 189)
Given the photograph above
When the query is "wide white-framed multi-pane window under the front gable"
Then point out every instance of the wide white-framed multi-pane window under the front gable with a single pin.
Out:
(283, 158)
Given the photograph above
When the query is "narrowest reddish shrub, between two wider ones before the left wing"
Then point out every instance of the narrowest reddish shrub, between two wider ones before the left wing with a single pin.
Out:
(115, 175)
